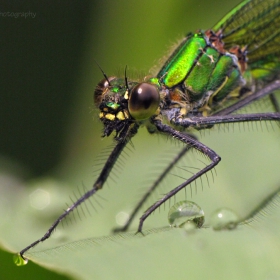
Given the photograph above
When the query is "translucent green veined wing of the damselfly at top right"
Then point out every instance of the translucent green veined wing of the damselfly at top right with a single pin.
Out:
(254, 24)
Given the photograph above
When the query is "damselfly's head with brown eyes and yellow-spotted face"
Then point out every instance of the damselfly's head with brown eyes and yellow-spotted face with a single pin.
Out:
(123, 103)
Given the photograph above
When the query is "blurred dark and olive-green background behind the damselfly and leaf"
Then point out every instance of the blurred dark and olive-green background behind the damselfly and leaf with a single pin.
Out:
(48, 76)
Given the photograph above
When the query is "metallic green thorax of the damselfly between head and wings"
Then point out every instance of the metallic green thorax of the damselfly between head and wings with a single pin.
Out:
(200, 72)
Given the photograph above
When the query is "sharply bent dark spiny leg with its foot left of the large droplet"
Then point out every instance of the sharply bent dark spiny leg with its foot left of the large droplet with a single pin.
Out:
(193, 143)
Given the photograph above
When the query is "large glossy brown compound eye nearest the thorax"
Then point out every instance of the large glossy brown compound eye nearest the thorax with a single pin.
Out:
(143, 101)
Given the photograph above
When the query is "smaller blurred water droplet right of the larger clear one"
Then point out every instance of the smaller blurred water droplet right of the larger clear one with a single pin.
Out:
(224, 218)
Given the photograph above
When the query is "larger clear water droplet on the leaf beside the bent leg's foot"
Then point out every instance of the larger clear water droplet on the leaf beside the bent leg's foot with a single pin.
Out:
(185, 212)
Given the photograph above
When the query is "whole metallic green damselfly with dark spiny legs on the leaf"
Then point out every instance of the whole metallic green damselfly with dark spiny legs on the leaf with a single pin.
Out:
(209, 77)
